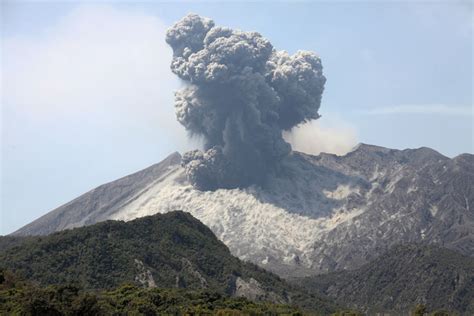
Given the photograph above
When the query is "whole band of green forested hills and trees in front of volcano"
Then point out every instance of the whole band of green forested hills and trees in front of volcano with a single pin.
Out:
(173, 264)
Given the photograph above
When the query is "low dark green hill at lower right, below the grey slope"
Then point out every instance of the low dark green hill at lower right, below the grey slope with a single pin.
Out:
(401, 278)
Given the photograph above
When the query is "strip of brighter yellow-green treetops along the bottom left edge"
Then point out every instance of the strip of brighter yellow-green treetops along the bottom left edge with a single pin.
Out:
(18, 297)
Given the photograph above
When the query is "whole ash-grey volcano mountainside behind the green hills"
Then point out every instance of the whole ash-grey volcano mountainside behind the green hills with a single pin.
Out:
(317, 214)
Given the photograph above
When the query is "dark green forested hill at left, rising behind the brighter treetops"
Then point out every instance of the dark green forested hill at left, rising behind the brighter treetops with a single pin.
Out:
(164, 250)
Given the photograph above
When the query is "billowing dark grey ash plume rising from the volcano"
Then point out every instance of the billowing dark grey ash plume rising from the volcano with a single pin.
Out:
(241, 95)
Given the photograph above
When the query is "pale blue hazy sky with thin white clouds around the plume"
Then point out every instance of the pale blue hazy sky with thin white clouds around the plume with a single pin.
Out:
(87, 94)
